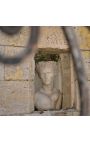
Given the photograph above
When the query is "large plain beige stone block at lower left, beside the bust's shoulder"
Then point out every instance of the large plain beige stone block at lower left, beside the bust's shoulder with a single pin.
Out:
(16, 98)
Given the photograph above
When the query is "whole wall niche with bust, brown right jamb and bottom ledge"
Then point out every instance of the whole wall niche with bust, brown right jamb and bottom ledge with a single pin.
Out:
(53, 84)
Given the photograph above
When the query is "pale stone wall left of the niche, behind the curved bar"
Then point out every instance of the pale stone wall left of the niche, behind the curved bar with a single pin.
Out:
(16, 81)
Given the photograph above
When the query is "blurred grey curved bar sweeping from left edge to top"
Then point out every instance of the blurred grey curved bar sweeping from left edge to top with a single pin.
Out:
(33, 38)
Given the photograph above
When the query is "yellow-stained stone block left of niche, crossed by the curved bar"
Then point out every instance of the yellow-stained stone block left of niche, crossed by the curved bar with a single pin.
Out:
(22, 71)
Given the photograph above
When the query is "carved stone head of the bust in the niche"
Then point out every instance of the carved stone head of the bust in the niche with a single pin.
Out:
(46, 71)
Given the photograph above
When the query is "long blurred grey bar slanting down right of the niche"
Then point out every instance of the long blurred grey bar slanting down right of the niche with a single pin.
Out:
(80, 70)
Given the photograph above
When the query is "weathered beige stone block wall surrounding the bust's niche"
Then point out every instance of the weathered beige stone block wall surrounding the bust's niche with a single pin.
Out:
(17, 82)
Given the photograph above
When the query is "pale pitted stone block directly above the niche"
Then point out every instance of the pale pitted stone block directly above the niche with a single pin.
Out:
(52, 37)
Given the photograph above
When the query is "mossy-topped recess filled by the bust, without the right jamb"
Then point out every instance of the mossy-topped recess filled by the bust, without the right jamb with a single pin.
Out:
(48, 96)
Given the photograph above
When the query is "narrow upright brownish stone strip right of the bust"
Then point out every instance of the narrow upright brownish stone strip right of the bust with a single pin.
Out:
(66, 80)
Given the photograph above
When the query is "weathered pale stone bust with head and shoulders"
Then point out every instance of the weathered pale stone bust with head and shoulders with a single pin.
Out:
(48, 97)
